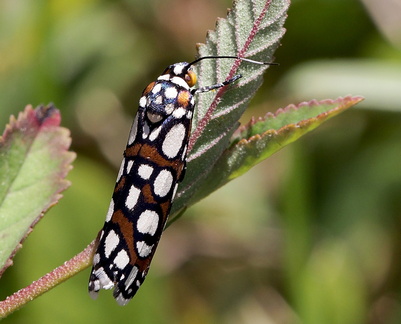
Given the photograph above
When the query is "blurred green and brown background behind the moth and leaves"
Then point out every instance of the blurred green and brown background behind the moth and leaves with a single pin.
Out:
(312, 235)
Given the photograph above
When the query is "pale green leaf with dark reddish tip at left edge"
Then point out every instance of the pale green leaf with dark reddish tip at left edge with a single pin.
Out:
(34, 159)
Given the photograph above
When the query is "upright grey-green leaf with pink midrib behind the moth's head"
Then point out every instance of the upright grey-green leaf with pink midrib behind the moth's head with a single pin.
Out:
(252, 29)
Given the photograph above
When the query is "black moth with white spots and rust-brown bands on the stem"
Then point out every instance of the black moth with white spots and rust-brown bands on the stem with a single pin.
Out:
(153, 165)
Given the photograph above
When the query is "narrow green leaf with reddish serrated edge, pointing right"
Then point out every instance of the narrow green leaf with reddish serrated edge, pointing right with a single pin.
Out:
(257, 140)
